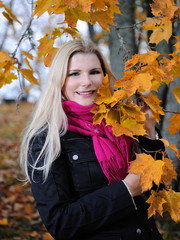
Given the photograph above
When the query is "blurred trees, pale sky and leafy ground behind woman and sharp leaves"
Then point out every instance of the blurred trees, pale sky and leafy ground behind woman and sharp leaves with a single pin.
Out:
(18, 216)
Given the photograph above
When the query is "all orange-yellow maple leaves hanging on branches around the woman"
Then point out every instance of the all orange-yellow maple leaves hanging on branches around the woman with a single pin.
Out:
(143, 75)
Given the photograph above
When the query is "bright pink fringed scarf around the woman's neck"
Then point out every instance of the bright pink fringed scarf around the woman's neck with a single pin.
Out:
(113, 153)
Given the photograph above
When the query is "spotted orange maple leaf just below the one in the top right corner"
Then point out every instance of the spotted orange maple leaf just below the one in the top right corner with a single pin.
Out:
(161, 27)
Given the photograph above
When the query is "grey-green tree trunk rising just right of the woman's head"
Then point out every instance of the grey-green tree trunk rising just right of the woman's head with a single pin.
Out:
(122, 41)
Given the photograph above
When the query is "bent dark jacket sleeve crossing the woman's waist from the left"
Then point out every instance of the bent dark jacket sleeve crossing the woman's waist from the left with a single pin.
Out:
(63, 215)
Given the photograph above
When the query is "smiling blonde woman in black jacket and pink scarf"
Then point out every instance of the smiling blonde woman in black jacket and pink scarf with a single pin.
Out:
(78, 171)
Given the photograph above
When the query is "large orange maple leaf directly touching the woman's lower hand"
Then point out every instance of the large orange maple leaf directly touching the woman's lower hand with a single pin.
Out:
(148, 169)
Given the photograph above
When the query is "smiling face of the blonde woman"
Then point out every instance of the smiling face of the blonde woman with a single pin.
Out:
(84, 77)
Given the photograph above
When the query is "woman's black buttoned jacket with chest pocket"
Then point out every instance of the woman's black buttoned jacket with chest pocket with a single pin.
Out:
(75, 202)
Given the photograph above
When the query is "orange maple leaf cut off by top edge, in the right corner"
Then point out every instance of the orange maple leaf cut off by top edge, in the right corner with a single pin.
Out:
(165, 8)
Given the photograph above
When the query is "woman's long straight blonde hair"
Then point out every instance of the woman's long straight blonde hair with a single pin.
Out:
(49, 114)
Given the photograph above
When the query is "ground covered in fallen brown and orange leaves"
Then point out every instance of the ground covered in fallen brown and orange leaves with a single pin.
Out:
(19, 219)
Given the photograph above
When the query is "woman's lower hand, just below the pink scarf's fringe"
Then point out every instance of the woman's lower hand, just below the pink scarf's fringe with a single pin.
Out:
(133, 183)
